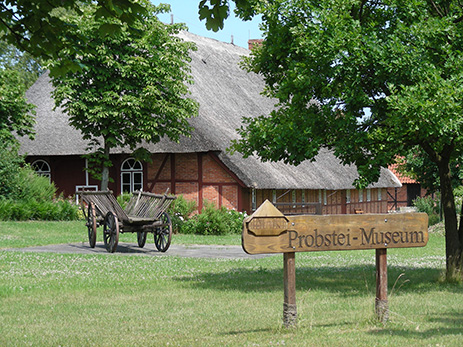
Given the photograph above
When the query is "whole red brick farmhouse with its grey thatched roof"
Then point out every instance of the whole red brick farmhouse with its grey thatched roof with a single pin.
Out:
(199, 167)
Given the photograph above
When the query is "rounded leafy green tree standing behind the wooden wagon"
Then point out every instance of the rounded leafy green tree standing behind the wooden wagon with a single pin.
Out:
(132, 89)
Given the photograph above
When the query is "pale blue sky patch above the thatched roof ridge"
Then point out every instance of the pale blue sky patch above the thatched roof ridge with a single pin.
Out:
(186, 11)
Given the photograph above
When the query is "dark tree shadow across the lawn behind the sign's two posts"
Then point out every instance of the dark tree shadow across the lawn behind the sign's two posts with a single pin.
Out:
(348, 281)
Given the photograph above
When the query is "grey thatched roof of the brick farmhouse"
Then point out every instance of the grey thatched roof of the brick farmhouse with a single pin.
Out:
(225, 93)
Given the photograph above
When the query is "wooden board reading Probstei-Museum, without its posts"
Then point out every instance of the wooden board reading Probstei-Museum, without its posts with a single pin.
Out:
(269, 231)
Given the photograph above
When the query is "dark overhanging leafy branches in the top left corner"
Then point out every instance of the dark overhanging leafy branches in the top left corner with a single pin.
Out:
(39, 28)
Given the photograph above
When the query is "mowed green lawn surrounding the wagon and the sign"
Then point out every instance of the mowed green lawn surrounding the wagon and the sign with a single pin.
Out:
(132, 300)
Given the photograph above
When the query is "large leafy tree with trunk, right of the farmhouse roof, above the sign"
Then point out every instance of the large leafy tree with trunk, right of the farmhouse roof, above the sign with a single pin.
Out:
(367, 79)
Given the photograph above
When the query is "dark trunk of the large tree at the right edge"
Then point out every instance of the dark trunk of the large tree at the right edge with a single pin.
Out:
(453, 247)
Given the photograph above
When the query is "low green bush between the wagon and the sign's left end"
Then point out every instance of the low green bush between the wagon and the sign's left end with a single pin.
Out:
(213, 221)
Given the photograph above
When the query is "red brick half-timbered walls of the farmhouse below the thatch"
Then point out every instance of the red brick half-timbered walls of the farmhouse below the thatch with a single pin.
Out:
(203, 177)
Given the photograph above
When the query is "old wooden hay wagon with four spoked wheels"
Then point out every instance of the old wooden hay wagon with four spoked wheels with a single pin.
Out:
(145, 213)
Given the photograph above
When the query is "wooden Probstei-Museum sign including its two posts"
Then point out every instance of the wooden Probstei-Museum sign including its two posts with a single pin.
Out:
(267, 230)
